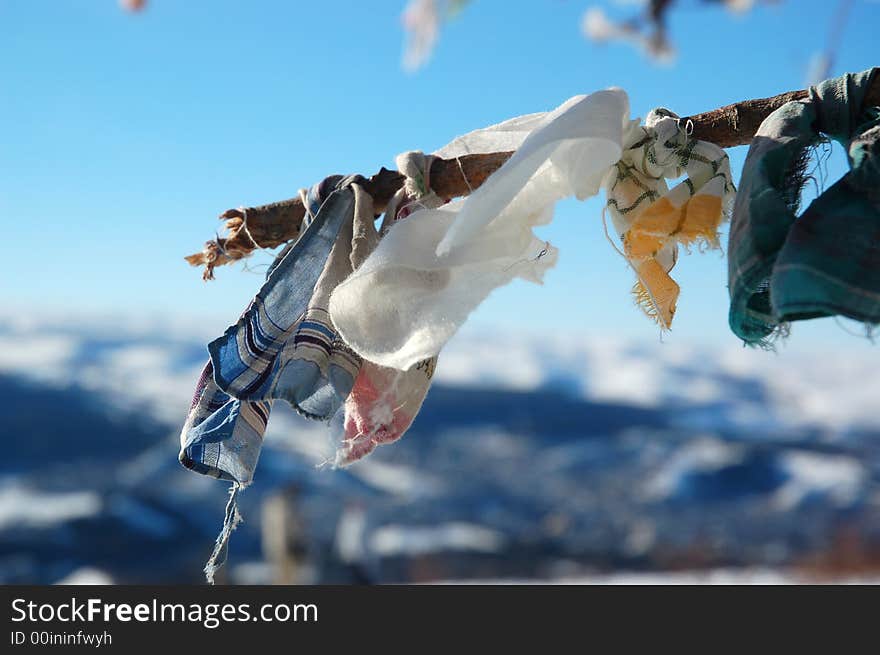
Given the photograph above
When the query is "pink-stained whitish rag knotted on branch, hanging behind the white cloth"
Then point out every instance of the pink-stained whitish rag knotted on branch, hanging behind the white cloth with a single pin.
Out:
(385, 401)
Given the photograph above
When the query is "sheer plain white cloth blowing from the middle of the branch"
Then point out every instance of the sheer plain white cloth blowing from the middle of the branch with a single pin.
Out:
(430, 271)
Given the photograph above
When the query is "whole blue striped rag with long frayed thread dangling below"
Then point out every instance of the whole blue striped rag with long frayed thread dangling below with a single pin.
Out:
(284, 346)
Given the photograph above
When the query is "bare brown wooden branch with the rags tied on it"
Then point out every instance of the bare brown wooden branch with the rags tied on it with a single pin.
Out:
(268, 226)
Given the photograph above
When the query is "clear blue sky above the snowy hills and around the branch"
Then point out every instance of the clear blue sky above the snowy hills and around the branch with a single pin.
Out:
(125, 135)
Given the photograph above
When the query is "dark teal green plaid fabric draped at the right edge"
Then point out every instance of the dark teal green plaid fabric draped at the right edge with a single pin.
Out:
(784, 268)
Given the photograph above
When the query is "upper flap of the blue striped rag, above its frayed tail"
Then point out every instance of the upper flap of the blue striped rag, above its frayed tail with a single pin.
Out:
(285, 346)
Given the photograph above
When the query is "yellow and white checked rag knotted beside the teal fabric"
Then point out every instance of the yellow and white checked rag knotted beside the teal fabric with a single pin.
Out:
(653, 220)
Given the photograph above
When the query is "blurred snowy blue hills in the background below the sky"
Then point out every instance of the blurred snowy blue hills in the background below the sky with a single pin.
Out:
(579, 459)
